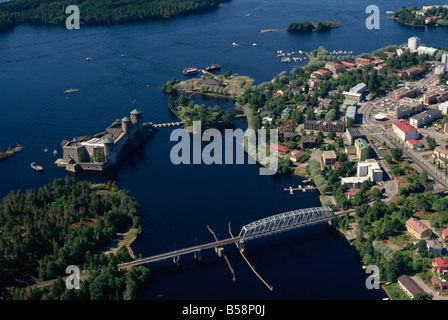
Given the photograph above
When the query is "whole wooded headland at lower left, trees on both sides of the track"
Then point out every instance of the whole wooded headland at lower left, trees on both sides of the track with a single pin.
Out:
(43, 231)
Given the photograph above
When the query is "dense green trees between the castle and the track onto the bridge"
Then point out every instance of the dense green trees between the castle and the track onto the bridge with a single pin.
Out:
(43, 231)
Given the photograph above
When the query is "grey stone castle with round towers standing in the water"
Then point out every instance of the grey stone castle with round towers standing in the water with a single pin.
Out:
(104, 149)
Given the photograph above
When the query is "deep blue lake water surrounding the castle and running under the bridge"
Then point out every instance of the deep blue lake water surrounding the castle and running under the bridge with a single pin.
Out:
(129, 64)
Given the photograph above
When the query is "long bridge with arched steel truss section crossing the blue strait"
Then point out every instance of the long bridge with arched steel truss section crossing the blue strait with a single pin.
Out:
(275, 224)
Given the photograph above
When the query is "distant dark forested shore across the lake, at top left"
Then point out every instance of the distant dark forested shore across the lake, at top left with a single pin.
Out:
(98, 12)
